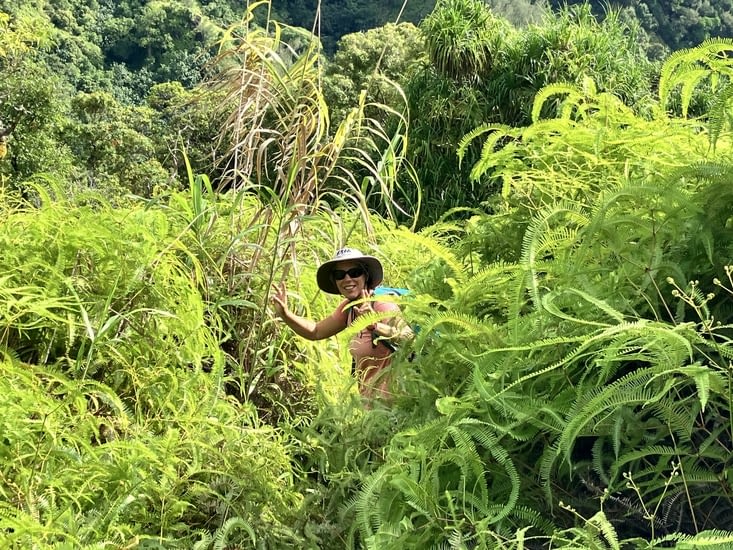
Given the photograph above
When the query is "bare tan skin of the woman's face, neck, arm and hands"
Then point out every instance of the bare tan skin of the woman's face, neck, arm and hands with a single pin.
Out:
(351, 289)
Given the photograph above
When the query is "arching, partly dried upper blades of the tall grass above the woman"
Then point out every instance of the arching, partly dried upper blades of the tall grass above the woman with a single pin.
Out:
(277, 132)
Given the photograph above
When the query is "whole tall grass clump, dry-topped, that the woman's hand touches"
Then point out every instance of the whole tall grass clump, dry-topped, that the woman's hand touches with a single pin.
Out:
(278, 152)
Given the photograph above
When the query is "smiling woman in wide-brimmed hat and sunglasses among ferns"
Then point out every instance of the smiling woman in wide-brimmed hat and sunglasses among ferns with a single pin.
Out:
(354, 276)
